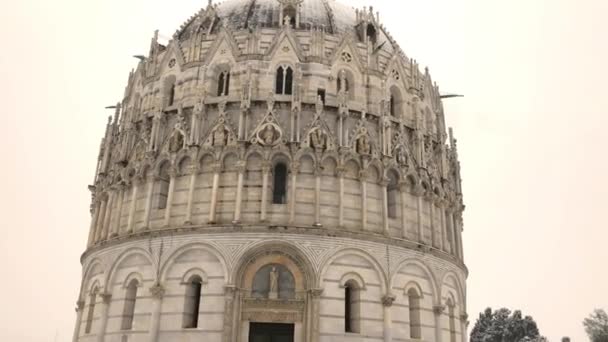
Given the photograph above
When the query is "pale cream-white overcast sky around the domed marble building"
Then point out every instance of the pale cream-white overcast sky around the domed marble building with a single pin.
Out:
(530, 129)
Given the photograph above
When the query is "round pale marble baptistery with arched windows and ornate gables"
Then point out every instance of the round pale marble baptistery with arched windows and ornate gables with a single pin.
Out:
(278, 171)
